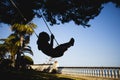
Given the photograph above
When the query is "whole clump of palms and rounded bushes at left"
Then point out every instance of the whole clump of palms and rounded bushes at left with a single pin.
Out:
(14, 47)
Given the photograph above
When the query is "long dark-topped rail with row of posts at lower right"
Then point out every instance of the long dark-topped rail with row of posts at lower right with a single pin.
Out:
(108, 72)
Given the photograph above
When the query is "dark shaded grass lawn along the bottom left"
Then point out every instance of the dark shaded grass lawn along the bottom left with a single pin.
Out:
(30, 75)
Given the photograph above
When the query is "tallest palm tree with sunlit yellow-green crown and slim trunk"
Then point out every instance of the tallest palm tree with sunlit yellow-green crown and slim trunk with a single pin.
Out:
(23, 32)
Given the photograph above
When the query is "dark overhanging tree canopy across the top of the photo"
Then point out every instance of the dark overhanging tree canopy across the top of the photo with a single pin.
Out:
(54, 11)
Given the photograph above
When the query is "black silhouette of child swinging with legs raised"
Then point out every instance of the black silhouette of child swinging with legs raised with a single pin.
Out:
(47, 47)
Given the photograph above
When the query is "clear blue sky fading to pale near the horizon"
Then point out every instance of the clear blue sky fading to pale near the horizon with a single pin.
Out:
(98, 45)
